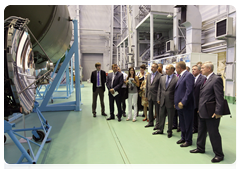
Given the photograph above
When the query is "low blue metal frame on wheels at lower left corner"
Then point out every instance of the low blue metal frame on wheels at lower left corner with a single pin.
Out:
(31, 159)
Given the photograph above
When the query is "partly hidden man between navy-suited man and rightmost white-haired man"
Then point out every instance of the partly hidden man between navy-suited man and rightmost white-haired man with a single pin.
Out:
(199, 79)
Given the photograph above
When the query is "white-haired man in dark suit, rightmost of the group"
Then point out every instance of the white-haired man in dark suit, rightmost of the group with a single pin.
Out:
(211, 90)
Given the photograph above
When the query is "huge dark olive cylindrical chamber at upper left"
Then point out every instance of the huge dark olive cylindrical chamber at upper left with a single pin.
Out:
(51, 26)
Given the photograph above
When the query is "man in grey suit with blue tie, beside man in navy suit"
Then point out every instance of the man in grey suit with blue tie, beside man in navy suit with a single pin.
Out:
(165, 98)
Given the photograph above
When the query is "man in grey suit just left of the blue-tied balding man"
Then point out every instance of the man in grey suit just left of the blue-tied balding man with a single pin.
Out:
(151, 93)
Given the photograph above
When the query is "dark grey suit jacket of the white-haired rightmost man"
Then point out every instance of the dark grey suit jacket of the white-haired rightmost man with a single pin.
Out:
(212, 90)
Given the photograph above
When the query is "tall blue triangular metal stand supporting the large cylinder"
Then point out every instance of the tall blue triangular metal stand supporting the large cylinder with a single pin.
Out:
(75, 105)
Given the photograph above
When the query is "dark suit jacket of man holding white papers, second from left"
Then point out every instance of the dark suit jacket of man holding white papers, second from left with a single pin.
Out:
(117, 82)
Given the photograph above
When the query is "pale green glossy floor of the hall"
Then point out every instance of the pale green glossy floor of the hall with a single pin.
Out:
(80, 141)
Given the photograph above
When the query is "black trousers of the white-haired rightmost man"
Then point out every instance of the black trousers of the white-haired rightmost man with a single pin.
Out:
(211, 126)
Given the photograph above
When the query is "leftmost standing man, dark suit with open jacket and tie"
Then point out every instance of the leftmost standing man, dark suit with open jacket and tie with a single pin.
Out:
(98, 78)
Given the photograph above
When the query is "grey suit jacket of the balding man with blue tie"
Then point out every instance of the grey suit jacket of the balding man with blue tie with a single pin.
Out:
(166, 95)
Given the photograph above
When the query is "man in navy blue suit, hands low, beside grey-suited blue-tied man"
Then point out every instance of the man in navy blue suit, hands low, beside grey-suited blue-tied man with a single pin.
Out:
(184, 103)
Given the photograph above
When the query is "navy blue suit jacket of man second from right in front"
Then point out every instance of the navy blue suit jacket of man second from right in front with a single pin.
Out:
(184, 91)
